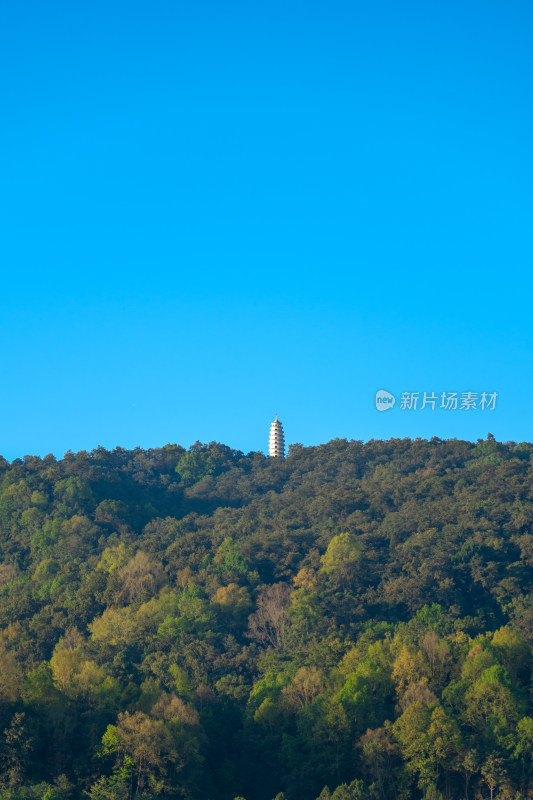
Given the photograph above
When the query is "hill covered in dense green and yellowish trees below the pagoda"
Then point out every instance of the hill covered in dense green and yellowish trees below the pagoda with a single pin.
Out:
(210, 625)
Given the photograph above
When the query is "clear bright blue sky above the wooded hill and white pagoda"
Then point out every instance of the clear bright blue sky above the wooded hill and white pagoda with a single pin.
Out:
(214, 212)
